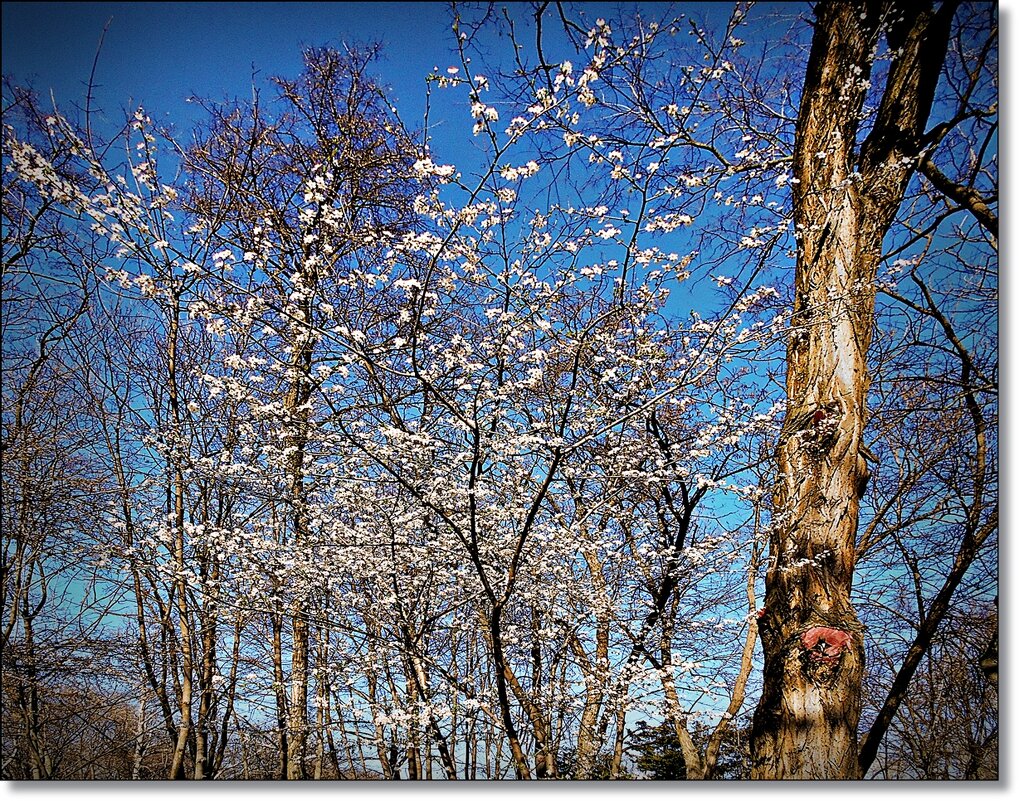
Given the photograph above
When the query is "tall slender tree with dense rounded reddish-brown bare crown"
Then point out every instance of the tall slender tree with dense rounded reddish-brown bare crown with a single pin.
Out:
(337, 146)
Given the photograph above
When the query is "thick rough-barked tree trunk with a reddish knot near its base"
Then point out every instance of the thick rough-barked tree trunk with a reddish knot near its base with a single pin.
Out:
(846, 199)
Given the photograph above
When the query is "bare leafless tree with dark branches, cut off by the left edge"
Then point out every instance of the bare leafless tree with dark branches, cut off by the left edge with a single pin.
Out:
(48, 475)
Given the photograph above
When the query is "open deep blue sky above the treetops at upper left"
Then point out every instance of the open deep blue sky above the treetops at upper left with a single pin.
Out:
(157, 55)
